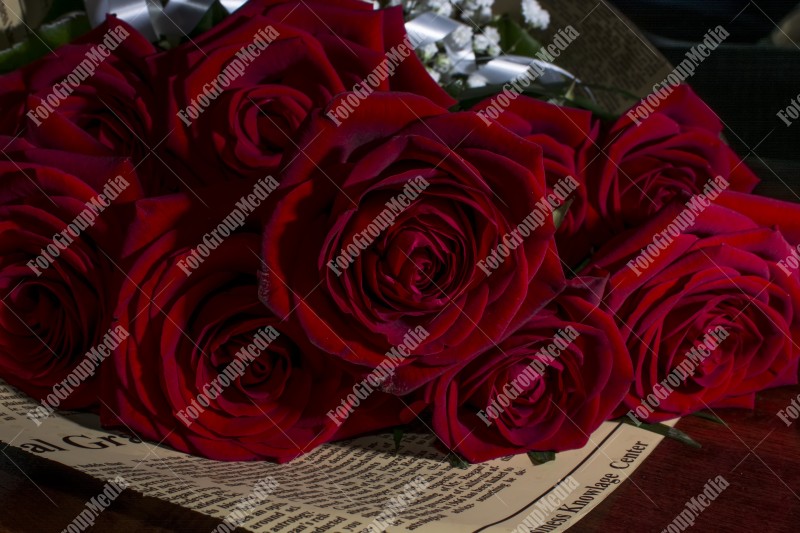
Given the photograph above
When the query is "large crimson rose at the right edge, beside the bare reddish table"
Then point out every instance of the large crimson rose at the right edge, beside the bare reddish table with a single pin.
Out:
(708, 315)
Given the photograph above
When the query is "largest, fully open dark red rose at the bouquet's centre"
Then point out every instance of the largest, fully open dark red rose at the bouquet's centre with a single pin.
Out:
(383, 230)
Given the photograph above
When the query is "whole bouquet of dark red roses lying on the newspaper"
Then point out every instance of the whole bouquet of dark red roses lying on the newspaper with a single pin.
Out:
(283, 231)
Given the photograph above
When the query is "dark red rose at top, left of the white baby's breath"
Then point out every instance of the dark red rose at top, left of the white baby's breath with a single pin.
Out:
(316, 49)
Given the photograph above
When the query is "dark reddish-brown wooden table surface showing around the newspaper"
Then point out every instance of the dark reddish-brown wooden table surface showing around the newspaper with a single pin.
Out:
(756, 452)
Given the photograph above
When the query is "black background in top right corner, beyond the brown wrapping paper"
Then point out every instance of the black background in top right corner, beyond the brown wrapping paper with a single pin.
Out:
(747, 80)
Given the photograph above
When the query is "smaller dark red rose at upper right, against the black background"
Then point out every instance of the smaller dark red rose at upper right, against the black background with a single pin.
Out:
(670, 155)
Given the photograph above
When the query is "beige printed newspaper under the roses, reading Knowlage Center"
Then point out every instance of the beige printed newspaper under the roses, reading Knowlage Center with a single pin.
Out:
(356, 485)
